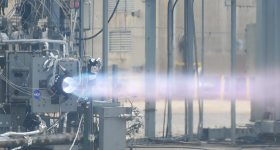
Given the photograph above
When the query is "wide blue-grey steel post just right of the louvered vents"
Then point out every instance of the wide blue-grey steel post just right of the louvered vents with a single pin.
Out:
(150, 67)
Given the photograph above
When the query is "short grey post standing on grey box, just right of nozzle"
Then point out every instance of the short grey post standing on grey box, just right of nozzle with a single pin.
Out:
(115, 84)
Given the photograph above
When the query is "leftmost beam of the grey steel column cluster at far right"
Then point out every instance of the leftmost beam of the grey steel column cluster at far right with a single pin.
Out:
(258, 102)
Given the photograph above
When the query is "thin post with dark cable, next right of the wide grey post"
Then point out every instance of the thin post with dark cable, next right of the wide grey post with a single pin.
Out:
(169, 72)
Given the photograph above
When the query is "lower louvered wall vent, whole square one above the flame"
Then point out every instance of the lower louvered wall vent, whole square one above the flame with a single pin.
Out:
(120, 41)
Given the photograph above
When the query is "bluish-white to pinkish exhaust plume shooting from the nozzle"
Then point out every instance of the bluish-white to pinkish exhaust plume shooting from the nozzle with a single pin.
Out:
(134, 86)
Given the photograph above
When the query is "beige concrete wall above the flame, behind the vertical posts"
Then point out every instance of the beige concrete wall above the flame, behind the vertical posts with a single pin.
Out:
(217, 35)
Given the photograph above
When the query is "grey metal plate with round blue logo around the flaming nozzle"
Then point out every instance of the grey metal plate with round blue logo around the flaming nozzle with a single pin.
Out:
(43, 102)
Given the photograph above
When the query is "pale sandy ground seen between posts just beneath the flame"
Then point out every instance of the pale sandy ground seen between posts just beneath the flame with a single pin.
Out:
(216, 115)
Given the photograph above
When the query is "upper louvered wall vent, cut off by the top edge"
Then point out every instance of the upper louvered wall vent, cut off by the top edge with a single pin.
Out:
(125, 6)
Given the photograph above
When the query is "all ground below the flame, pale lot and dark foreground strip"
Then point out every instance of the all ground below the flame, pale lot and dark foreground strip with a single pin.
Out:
(216, 114)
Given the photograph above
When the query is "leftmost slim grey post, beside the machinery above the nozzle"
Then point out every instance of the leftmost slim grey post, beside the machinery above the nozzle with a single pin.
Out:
(81, 42)
